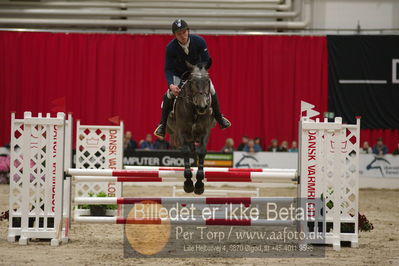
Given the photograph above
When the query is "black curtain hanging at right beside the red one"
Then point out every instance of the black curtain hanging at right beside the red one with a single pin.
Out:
(362, 80)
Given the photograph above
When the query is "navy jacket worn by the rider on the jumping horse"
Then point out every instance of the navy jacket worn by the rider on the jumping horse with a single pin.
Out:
(175, 64)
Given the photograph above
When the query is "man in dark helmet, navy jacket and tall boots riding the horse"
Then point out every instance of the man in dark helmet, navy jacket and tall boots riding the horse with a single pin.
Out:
(185, 48)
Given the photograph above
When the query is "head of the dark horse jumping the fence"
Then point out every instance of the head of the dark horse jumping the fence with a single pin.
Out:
(199, 88)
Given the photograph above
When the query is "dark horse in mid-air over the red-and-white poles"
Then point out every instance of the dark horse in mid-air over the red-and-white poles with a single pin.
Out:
(190, 124)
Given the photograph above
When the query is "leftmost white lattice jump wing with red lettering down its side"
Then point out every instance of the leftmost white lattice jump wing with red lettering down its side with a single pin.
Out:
(36, 183)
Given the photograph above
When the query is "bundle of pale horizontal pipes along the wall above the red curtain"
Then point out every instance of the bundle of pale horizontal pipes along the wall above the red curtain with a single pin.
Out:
(157, 15)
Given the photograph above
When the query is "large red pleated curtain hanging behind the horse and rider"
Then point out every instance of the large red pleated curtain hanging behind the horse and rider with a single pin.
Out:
(260, 80)
